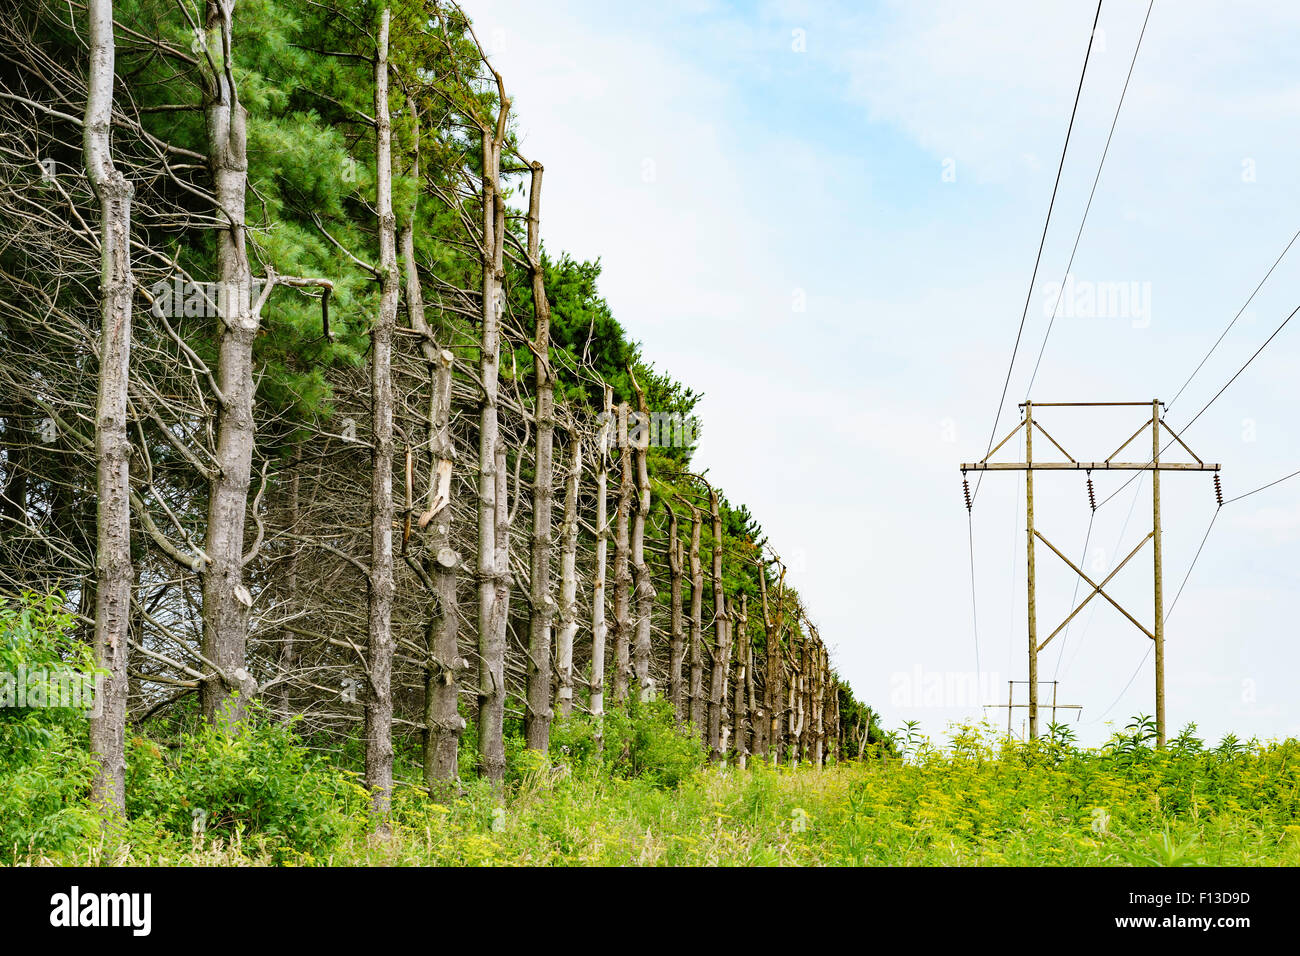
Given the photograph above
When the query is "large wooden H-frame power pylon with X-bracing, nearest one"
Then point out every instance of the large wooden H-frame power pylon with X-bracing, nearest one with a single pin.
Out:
(1155, 466)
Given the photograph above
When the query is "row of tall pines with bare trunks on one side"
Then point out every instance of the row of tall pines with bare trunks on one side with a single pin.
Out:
(297, 409)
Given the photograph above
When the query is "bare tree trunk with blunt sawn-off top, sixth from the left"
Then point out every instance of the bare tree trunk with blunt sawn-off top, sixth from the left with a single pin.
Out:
(538, 720)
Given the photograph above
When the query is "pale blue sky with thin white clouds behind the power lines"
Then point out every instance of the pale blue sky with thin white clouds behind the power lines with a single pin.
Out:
(825, 217)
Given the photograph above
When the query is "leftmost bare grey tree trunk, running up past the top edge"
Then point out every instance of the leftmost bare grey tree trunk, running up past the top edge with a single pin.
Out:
(112, 451)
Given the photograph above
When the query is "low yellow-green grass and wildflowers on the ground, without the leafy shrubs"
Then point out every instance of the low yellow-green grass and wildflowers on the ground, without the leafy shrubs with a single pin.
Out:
(977, 802)
